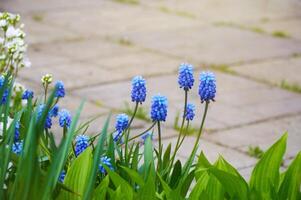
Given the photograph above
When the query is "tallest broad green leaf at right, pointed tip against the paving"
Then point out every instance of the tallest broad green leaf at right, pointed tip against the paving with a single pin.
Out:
(265, 175)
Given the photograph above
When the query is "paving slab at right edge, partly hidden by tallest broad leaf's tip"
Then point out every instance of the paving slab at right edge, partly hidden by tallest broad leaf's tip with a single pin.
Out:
(261, 134)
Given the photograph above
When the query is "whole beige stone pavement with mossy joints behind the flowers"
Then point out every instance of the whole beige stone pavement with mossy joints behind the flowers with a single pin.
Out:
(254, 47)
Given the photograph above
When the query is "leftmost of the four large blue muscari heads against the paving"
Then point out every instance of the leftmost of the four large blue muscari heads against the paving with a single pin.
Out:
(138, 89)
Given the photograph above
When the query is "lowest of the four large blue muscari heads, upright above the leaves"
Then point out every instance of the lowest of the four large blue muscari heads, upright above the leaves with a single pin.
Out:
(159, 108)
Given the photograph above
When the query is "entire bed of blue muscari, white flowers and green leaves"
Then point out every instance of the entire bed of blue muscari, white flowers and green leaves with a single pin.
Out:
(35, 164)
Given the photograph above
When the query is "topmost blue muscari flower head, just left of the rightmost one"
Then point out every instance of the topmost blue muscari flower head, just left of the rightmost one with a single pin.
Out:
(186, 79)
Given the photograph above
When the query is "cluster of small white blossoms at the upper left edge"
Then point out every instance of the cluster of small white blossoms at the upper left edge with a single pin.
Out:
(12, 44)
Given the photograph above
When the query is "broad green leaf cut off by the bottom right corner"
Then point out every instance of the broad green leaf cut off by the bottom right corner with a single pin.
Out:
(290, 187)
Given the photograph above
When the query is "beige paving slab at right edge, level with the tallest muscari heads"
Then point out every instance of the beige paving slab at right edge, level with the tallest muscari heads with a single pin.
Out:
(274, 71)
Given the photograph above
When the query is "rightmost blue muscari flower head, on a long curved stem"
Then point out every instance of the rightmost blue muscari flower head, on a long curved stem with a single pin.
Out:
(207, 87)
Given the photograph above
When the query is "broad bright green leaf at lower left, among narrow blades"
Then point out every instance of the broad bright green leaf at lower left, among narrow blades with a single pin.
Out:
(78, 175)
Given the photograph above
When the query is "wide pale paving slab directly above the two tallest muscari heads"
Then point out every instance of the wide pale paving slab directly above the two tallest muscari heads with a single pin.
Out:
(209, 44)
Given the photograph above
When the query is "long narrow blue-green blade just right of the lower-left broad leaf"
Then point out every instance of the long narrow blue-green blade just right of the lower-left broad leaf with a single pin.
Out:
(98, 151)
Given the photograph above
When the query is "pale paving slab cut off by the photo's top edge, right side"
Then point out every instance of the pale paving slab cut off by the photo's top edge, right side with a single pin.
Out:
(233, 10)
